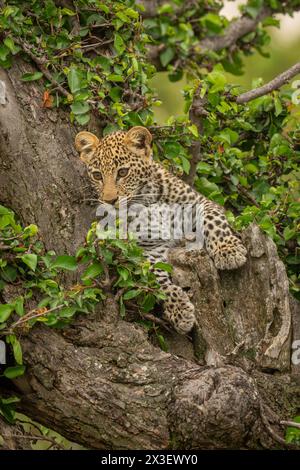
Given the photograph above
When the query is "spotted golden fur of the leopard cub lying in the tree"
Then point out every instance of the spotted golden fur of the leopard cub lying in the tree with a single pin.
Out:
(121, 168)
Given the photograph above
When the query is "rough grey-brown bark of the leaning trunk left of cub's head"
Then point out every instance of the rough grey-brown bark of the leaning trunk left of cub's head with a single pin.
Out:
(41, 177)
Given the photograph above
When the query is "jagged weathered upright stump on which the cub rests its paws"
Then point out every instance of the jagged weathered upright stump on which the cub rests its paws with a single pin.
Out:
(246, 311)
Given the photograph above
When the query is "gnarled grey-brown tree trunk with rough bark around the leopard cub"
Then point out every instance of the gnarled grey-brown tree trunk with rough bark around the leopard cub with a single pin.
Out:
(101, 382)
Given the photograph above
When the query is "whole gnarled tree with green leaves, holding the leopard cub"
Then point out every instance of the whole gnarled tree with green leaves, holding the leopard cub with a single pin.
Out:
(76, 65)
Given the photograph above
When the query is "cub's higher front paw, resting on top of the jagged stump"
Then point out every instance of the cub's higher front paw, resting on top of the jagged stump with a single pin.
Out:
(231, 254)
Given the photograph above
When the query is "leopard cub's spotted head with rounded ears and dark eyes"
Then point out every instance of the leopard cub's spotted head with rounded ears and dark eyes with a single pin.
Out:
(119, 164)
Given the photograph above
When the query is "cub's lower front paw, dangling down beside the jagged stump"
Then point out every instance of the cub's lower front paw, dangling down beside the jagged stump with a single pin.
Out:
(179, 311)
